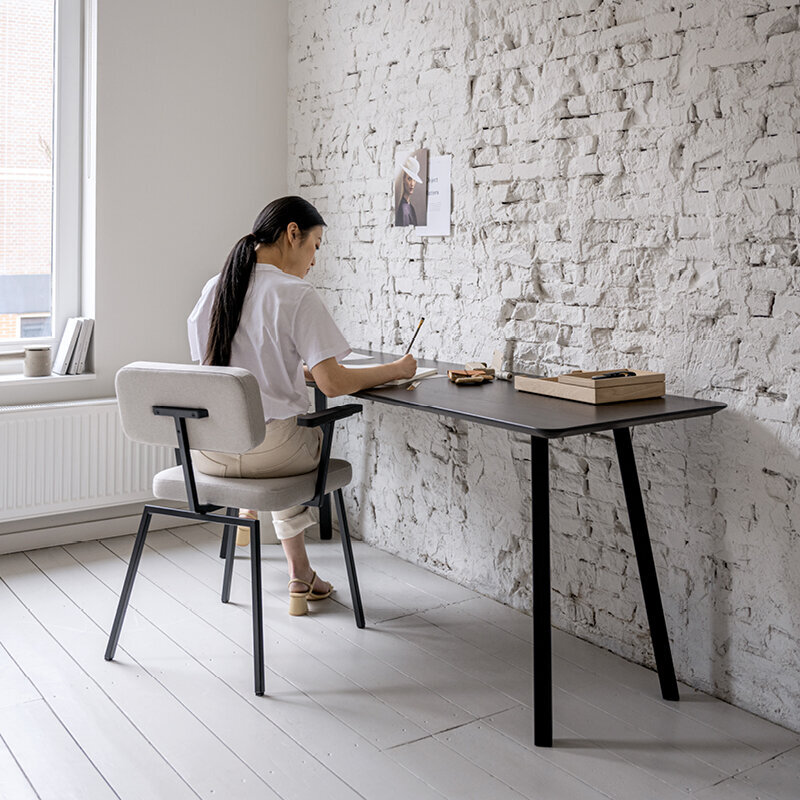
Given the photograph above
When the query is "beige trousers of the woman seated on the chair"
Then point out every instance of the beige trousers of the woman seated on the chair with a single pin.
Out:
(287, 450)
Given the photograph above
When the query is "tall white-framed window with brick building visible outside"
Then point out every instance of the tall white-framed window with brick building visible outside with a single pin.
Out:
(40, 168)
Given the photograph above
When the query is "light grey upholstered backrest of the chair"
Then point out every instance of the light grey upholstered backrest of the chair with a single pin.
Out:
(235, 421)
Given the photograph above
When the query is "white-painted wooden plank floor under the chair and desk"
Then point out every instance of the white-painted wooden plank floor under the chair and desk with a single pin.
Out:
(432, 700)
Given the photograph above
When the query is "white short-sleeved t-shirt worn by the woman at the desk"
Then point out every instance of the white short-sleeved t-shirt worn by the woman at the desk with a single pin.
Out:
(283, 324)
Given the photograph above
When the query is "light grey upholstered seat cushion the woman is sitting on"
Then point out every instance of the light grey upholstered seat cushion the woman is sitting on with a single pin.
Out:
(264, 494)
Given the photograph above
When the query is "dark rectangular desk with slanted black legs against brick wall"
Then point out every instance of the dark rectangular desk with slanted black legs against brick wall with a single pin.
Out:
(544, 418)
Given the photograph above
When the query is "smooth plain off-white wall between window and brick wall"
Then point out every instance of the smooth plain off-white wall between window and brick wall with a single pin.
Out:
(191, 144)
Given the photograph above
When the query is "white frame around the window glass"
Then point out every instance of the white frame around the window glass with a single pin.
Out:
(68, 132)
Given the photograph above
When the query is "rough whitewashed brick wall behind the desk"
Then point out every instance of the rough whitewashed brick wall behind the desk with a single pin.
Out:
(626, 184)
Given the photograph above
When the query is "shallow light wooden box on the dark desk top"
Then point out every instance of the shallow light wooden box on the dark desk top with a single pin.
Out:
(580, 386)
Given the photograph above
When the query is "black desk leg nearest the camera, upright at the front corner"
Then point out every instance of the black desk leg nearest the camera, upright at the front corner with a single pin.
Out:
(542, 645)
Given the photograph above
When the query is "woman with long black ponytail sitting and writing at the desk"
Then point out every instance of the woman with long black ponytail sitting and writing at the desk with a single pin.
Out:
(259, 313)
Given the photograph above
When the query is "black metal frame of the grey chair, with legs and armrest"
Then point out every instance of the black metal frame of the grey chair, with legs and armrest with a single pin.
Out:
(230, 519)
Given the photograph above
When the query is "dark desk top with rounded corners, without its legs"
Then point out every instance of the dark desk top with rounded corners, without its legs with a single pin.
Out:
(498, 403)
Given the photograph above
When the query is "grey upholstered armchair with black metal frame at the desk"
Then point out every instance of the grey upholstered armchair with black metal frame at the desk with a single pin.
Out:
(219, 409)
